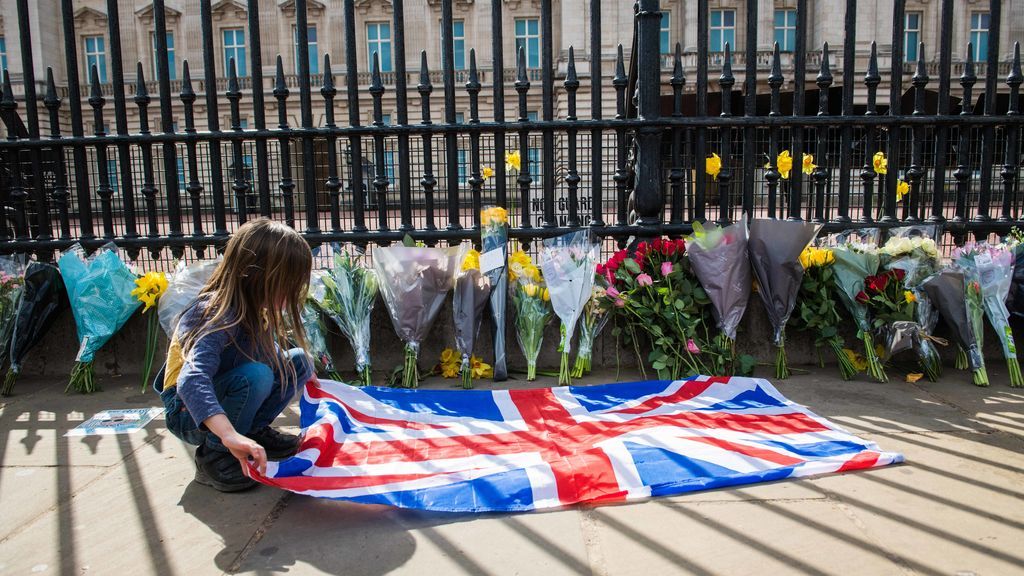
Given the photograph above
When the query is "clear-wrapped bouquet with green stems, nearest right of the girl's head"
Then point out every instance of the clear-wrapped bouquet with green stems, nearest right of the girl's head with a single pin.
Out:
(350, 294)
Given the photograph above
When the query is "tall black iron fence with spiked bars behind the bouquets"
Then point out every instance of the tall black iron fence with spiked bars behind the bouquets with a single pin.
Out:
(163, 189)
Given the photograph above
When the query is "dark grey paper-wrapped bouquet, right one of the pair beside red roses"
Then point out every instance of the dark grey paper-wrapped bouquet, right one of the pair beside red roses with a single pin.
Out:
(775, 250)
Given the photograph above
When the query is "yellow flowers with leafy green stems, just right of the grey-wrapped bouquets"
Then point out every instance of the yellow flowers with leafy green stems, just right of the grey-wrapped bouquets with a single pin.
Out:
(818, 310)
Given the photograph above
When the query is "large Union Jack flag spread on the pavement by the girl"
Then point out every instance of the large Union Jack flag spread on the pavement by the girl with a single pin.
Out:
(530, 449)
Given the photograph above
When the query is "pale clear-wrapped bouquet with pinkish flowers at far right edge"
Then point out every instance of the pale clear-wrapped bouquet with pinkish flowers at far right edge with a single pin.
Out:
(992, 268)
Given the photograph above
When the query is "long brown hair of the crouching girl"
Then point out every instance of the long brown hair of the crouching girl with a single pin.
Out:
(263, 280)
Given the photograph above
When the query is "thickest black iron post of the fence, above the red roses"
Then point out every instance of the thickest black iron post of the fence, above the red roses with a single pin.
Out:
(650, 196)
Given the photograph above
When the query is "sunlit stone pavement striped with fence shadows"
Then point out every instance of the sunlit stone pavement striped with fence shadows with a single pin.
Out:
(126, 505)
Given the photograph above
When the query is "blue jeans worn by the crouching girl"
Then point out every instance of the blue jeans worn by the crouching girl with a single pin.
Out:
(251, 395)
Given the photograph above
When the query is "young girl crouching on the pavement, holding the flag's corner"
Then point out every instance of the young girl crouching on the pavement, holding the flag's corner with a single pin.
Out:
(227, 378)
